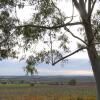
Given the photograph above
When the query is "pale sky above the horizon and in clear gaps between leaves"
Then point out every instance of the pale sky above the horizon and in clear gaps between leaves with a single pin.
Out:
(78, 64)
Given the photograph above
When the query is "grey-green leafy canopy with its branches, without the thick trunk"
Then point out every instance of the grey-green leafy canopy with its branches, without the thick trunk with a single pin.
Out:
(48, 21)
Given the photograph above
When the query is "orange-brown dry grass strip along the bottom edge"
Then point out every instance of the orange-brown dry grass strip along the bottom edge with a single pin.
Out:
(57, 97)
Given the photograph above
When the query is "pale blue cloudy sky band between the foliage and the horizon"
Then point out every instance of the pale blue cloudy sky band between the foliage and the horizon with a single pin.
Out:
(77, 67)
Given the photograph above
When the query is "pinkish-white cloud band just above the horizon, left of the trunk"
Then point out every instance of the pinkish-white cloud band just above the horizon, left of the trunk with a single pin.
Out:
(44, 71)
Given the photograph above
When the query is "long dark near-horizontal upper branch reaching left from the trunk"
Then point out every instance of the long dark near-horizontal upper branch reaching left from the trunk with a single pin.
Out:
(50, 27)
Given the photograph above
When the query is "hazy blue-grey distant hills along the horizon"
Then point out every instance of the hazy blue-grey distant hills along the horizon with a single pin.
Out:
(48, 78)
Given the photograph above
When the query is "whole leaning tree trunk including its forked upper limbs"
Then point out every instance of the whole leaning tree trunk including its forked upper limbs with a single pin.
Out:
(92, 53)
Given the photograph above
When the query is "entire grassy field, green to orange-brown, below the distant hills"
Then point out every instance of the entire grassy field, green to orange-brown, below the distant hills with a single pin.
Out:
(47, 92)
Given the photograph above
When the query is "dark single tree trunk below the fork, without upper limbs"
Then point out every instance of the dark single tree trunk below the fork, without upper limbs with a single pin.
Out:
(93, 56)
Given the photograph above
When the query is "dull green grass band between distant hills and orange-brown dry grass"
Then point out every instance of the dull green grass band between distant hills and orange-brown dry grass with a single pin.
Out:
(46, 89)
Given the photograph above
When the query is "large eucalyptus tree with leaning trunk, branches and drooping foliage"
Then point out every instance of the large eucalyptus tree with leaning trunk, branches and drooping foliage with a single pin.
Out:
(48, 21)
